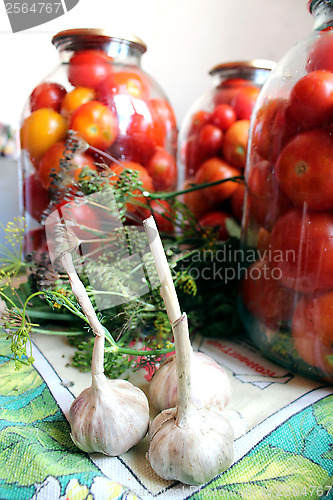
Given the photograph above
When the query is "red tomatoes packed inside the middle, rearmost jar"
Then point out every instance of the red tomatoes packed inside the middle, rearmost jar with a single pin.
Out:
(215, 148)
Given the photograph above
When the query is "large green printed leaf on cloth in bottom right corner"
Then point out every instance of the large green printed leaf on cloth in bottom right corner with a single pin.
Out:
(269, 472)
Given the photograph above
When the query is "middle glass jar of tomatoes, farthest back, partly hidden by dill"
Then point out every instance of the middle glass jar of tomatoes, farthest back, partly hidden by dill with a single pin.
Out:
(212, 141)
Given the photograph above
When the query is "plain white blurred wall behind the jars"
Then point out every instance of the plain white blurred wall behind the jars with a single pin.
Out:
(185, 40)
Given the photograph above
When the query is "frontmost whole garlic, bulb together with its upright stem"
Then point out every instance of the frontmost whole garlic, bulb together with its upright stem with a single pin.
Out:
(189, 444)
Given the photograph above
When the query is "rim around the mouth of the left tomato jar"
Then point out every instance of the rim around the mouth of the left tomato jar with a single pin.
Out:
(74, 39)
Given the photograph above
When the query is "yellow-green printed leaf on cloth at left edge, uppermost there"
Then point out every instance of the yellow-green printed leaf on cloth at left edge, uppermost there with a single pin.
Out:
(14, 383)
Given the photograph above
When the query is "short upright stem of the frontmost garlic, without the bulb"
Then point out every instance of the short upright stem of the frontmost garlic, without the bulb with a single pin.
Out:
(183, 367)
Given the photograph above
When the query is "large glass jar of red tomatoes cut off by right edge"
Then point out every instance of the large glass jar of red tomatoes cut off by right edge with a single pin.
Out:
(286, 299)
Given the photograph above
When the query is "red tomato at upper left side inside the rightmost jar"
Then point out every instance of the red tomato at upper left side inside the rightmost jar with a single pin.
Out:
(269, 129)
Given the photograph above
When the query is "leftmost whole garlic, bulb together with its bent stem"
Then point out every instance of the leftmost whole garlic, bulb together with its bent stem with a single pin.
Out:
(110, 416)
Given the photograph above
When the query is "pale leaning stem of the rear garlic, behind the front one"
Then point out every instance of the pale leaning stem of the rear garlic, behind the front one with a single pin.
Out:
(168, 291)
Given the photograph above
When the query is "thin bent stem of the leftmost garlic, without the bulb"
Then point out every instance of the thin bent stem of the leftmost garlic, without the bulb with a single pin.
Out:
(97, 365)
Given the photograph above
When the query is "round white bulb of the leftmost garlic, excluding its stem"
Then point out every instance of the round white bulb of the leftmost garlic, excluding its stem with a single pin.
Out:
(109, 417)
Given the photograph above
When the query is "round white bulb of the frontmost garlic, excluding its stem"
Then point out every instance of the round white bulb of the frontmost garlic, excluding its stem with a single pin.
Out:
(193, 452)
